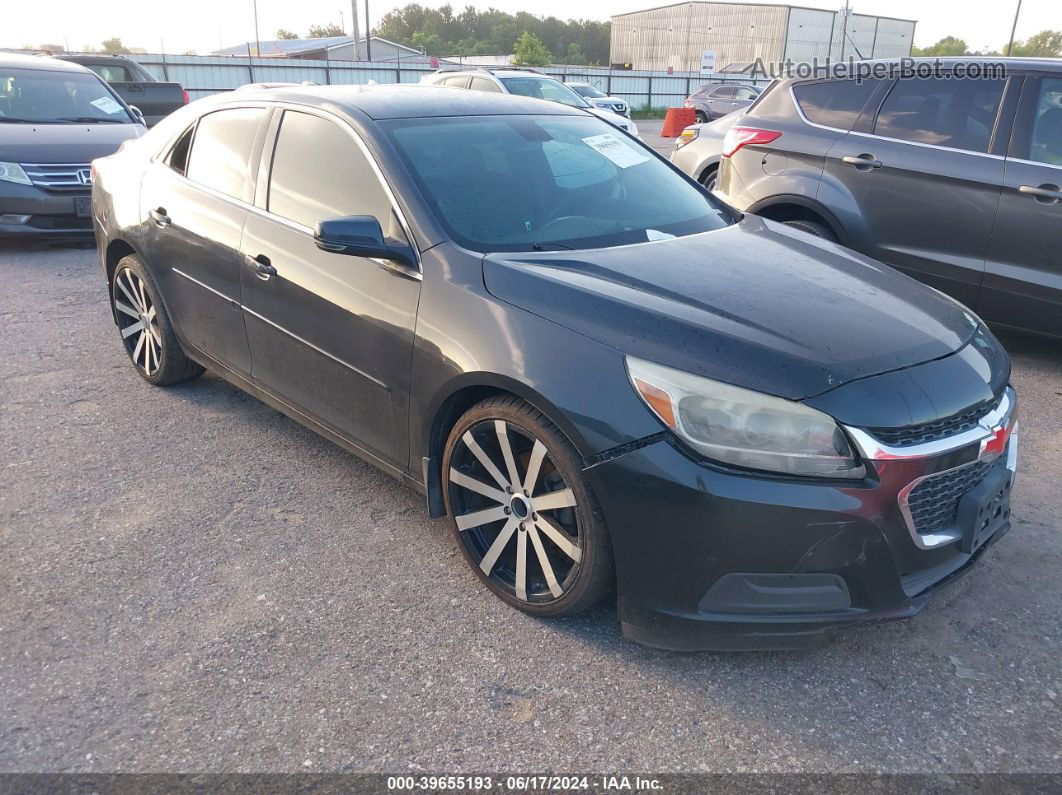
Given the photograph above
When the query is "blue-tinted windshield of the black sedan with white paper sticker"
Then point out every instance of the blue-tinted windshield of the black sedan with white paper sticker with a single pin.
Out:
(549, 183)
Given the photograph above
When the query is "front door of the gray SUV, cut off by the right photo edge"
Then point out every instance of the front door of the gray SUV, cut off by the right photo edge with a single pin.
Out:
(1023, 275)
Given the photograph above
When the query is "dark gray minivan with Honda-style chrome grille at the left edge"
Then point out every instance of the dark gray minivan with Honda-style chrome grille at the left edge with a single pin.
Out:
(56, 118)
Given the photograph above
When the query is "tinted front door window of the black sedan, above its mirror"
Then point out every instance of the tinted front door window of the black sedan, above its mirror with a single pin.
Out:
(319, 174)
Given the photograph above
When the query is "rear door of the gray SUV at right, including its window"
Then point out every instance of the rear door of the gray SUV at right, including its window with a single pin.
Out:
(923, 181)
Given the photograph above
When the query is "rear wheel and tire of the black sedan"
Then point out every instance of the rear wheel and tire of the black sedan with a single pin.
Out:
(155, 352)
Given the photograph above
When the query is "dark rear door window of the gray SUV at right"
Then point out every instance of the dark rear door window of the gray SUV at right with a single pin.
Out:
(960, 114)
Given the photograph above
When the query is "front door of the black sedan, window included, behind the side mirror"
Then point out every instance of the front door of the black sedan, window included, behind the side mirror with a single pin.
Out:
(330, 334)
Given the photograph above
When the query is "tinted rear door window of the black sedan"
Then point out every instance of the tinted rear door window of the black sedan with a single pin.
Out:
(221, 152)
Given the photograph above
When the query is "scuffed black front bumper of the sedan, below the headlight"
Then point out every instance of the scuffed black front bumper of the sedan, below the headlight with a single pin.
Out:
(757, 562)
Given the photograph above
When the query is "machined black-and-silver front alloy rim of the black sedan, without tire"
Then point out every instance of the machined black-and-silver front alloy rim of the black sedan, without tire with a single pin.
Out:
(515, 512)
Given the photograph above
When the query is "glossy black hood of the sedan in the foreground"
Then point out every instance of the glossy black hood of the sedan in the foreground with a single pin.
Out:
(757, 304)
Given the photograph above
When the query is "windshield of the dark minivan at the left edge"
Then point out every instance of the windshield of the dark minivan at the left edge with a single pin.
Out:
(45, 97)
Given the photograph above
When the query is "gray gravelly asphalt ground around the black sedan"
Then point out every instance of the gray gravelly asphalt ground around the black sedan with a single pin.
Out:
(192, 582)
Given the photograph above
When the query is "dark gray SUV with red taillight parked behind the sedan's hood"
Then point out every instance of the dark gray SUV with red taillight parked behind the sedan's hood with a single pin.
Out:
(957, 182)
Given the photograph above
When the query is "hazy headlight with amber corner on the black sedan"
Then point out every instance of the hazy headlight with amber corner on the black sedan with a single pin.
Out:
(745, 428)
